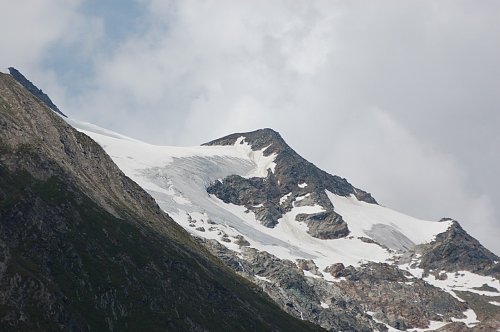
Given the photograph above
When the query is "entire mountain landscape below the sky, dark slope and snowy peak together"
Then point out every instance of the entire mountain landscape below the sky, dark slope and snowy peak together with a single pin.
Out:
(92, 246)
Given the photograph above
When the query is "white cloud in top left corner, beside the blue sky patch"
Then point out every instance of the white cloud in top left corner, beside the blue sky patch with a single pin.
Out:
(37, 32)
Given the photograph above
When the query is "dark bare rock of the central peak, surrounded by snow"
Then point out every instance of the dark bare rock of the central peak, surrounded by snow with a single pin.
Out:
(262, 195)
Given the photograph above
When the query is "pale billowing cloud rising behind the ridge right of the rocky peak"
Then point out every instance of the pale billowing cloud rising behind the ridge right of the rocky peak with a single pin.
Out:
(377, 152)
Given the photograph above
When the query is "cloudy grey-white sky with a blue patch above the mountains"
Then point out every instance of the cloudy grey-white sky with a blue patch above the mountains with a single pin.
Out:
(402, 98)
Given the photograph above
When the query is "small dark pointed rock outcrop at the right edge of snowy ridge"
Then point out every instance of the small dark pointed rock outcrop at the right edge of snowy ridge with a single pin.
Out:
(455, 250)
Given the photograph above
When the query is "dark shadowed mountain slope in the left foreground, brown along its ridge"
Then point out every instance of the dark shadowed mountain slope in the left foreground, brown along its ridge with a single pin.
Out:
(84, 248)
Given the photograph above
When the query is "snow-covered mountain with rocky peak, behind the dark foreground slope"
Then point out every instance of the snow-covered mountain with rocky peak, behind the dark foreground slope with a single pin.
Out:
(268, 213)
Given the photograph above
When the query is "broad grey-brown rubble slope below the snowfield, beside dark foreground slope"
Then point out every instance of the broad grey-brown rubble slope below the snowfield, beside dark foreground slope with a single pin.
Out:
(396, 298)
